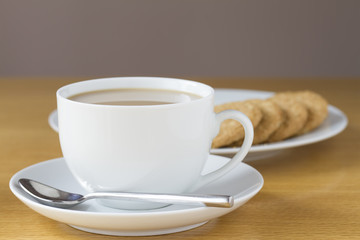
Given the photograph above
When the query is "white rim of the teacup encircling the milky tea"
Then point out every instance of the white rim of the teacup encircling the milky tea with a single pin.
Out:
(177, 84)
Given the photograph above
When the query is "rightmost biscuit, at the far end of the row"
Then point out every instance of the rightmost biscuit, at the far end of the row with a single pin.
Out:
(315, 104)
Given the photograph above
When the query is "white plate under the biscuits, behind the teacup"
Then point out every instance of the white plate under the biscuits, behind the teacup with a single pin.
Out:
(333, 125)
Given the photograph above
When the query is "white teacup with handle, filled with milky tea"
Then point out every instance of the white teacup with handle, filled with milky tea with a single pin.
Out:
(141, 146)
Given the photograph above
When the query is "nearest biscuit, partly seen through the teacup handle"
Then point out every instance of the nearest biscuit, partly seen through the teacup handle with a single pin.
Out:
(231, 130)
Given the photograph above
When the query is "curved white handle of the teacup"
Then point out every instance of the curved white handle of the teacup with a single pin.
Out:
(239, 156)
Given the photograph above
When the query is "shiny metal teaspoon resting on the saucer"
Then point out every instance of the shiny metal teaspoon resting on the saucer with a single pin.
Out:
(57, 198)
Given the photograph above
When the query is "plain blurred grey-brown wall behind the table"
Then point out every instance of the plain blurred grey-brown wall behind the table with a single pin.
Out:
(255, 38)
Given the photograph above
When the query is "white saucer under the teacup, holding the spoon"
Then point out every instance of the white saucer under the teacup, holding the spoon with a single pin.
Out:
(243, 182)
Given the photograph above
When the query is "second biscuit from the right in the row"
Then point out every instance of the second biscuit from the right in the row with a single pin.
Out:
(296, 115)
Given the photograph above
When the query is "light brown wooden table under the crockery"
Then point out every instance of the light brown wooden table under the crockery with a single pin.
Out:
(310, 192)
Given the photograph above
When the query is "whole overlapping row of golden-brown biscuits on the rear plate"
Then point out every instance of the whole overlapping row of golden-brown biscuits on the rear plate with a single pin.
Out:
(282, 116)
